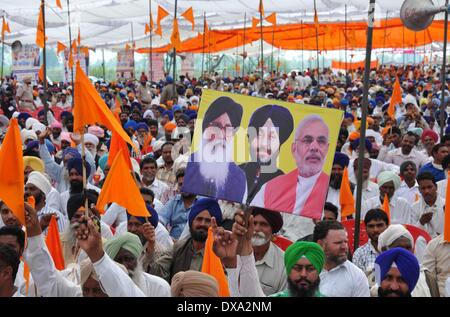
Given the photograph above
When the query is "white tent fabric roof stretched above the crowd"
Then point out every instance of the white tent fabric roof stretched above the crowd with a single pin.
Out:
(110, 23)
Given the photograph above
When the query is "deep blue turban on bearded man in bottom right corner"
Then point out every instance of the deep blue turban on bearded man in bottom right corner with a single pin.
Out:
(406, 263)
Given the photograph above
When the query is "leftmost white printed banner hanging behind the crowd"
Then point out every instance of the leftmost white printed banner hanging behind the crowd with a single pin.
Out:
(26, 62)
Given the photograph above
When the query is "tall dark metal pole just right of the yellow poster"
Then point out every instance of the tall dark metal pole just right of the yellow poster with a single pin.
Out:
(365, 102)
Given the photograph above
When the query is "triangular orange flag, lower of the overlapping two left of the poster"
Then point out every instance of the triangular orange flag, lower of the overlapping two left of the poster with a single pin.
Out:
(119, 177)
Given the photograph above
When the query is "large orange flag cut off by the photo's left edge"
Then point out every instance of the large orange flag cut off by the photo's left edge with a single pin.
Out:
(11, 171)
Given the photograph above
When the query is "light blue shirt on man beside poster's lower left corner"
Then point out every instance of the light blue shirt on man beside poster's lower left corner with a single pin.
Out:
(175, 215)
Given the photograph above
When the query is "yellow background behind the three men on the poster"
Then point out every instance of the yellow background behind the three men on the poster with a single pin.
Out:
(285, 162)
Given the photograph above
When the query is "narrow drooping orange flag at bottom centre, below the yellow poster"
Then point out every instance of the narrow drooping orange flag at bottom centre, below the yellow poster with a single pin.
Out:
(213, 266)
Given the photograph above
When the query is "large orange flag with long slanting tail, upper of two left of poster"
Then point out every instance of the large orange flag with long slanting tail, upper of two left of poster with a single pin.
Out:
(89, 108)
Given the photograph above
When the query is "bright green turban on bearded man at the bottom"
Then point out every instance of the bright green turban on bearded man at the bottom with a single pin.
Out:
(311, 250)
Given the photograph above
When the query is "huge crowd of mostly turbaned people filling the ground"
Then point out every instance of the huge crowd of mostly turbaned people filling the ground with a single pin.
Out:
(406, 159)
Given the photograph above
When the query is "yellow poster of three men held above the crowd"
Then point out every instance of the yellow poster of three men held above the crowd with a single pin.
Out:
(264, 153)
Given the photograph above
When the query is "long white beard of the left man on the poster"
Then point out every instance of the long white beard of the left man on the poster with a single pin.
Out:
(219, 153)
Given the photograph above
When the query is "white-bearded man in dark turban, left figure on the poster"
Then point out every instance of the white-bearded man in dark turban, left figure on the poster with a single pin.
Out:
(211, 170)
